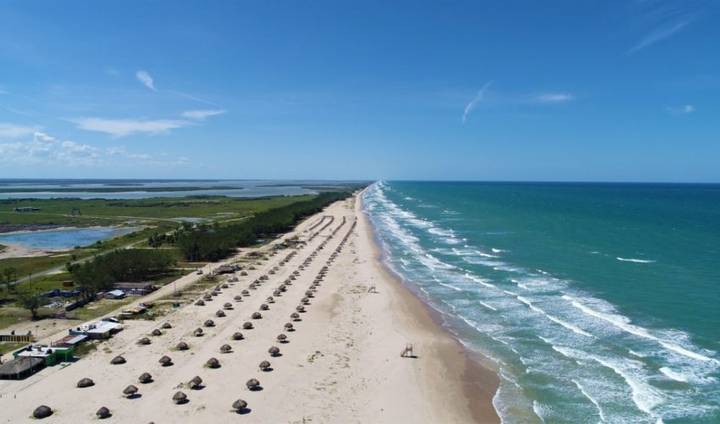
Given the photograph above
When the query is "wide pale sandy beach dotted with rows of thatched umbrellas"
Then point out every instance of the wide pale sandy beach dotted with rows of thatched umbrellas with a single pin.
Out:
(342, 363)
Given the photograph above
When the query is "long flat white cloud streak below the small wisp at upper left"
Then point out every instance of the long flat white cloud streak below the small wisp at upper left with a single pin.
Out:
(125, 127)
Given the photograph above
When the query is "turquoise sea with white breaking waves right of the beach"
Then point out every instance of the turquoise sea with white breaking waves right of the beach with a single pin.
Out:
(596, 302)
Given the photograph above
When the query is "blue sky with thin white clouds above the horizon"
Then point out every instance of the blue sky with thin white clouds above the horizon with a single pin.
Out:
(556, 90)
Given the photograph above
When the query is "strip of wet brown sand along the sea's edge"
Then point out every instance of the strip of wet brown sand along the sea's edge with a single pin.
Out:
(479, 382)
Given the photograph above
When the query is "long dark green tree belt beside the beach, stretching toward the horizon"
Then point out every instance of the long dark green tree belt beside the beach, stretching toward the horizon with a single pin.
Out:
(216, 242)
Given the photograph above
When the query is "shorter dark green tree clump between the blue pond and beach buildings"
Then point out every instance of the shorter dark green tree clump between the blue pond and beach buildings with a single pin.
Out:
(120, 265)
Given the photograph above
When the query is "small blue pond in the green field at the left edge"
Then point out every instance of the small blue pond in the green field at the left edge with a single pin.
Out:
(63, 238)
